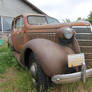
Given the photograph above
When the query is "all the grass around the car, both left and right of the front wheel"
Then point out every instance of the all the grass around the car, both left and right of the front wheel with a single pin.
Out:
(13, 78)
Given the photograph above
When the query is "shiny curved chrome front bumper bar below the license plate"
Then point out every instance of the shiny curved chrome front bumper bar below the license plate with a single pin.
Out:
(69, 78)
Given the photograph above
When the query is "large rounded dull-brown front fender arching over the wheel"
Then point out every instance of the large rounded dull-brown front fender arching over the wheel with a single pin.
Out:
(51, 56)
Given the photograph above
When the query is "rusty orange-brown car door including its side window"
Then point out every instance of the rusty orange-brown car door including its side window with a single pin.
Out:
(18, 33)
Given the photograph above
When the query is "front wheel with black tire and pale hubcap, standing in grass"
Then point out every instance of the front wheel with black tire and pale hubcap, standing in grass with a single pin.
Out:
(42, 82)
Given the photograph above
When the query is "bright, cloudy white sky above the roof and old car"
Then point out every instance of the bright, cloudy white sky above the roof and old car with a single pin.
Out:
(62, 9)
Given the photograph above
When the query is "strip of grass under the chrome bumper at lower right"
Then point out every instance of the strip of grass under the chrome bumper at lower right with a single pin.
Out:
(75, 87)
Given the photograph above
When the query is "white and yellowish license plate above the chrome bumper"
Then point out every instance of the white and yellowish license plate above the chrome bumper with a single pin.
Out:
(76, 60)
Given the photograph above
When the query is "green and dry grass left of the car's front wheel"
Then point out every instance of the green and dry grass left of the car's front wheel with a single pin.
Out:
(13, 78)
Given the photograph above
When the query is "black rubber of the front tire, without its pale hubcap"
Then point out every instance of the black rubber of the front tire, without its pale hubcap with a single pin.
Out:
(42, 81)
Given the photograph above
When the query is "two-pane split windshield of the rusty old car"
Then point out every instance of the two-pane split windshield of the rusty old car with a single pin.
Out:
(41, 20)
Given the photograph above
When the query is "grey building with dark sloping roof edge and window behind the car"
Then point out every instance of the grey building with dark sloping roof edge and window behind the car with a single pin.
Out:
(11, 8)
